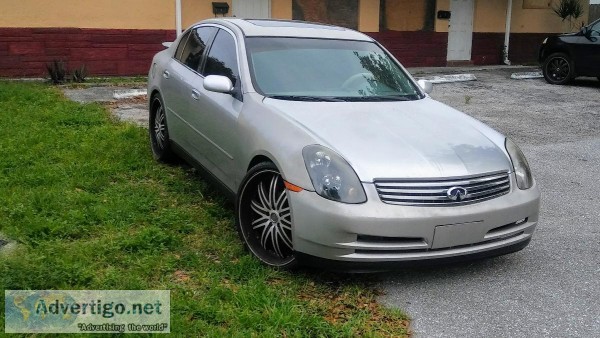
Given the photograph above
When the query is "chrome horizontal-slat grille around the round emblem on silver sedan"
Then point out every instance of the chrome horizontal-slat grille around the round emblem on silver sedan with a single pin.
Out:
(434, 191)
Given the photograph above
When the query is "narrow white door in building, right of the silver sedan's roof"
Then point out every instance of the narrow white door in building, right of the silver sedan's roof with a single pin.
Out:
(460, 30)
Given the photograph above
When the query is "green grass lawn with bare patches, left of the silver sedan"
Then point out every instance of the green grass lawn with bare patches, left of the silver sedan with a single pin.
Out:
(90, 209)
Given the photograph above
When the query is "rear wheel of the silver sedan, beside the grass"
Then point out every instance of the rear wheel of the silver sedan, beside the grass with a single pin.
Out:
(159, 132)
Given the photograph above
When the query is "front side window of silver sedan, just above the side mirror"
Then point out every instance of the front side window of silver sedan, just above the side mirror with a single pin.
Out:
(222, 58)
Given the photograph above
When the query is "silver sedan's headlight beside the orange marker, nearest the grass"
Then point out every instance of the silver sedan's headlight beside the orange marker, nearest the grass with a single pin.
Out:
(332, 176)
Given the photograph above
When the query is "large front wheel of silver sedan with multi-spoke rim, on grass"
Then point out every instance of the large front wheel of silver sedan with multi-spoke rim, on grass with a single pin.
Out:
(264, 217)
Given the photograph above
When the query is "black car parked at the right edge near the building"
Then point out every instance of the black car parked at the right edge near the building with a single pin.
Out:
(564, 57)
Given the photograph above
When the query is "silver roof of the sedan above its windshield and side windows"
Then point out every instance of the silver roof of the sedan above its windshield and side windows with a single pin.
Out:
(290, 28)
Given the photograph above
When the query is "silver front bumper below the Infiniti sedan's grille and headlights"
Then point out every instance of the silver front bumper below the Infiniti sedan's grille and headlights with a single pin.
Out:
(376, 232)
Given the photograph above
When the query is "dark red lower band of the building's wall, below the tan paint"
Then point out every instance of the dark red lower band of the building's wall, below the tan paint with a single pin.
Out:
(24, 52)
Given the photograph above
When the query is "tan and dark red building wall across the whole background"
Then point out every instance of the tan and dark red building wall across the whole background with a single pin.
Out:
(119, 37)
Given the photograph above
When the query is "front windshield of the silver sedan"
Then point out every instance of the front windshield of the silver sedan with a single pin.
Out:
(306, 69)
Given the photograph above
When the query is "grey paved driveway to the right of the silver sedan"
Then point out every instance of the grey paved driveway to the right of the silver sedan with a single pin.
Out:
(552, 287)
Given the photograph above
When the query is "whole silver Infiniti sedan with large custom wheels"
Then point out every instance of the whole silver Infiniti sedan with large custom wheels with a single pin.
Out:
(333, 153)
